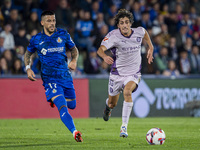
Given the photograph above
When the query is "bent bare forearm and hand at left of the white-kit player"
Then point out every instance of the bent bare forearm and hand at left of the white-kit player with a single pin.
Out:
(105, 57)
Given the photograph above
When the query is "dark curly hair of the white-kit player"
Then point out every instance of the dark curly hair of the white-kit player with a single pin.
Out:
(123, 13)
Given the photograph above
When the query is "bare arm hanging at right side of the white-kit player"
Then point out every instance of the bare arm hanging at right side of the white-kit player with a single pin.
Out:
(150, 50)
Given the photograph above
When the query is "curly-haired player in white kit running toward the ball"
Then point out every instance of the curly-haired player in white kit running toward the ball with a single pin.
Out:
(125, 45)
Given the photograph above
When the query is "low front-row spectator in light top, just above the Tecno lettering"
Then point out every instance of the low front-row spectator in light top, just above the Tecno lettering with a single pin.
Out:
(171, 71)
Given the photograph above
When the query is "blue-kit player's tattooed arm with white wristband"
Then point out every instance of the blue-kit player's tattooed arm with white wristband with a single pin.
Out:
(27, 61)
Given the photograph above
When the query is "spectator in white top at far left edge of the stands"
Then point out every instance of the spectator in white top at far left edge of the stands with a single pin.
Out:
(8, 37)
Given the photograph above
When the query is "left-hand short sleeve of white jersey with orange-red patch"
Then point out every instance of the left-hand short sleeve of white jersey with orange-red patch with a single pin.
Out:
(108, 41)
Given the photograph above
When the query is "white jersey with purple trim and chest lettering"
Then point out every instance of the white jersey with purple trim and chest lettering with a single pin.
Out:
(126, 51)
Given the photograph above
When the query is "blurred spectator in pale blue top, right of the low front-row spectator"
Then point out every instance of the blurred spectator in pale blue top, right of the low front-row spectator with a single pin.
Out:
(184, 63)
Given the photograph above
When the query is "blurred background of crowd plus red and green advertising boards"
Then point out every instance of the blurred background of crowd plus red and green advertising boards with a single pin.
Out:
(169, 87)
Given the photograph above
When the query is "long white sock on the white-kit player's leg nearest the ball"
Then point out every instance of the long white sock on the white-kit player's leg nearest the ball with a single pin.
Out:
(126, 112)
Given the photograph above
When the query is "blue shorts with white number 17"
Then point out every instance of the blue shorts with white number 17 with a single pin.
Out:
(53, 89)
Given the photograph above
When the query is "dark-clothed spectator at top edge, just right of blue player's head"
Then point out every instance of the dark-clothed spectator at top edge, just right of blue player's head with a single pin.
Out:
(64, 16)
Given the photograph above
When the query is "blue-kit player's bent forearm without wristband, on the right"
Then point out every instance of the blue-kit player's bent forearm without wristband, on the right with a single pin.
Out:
(73, 63)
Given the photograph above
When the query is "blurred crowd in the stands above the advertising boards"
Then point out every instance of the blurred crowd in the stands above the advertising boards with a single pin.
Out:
(173, 25)
